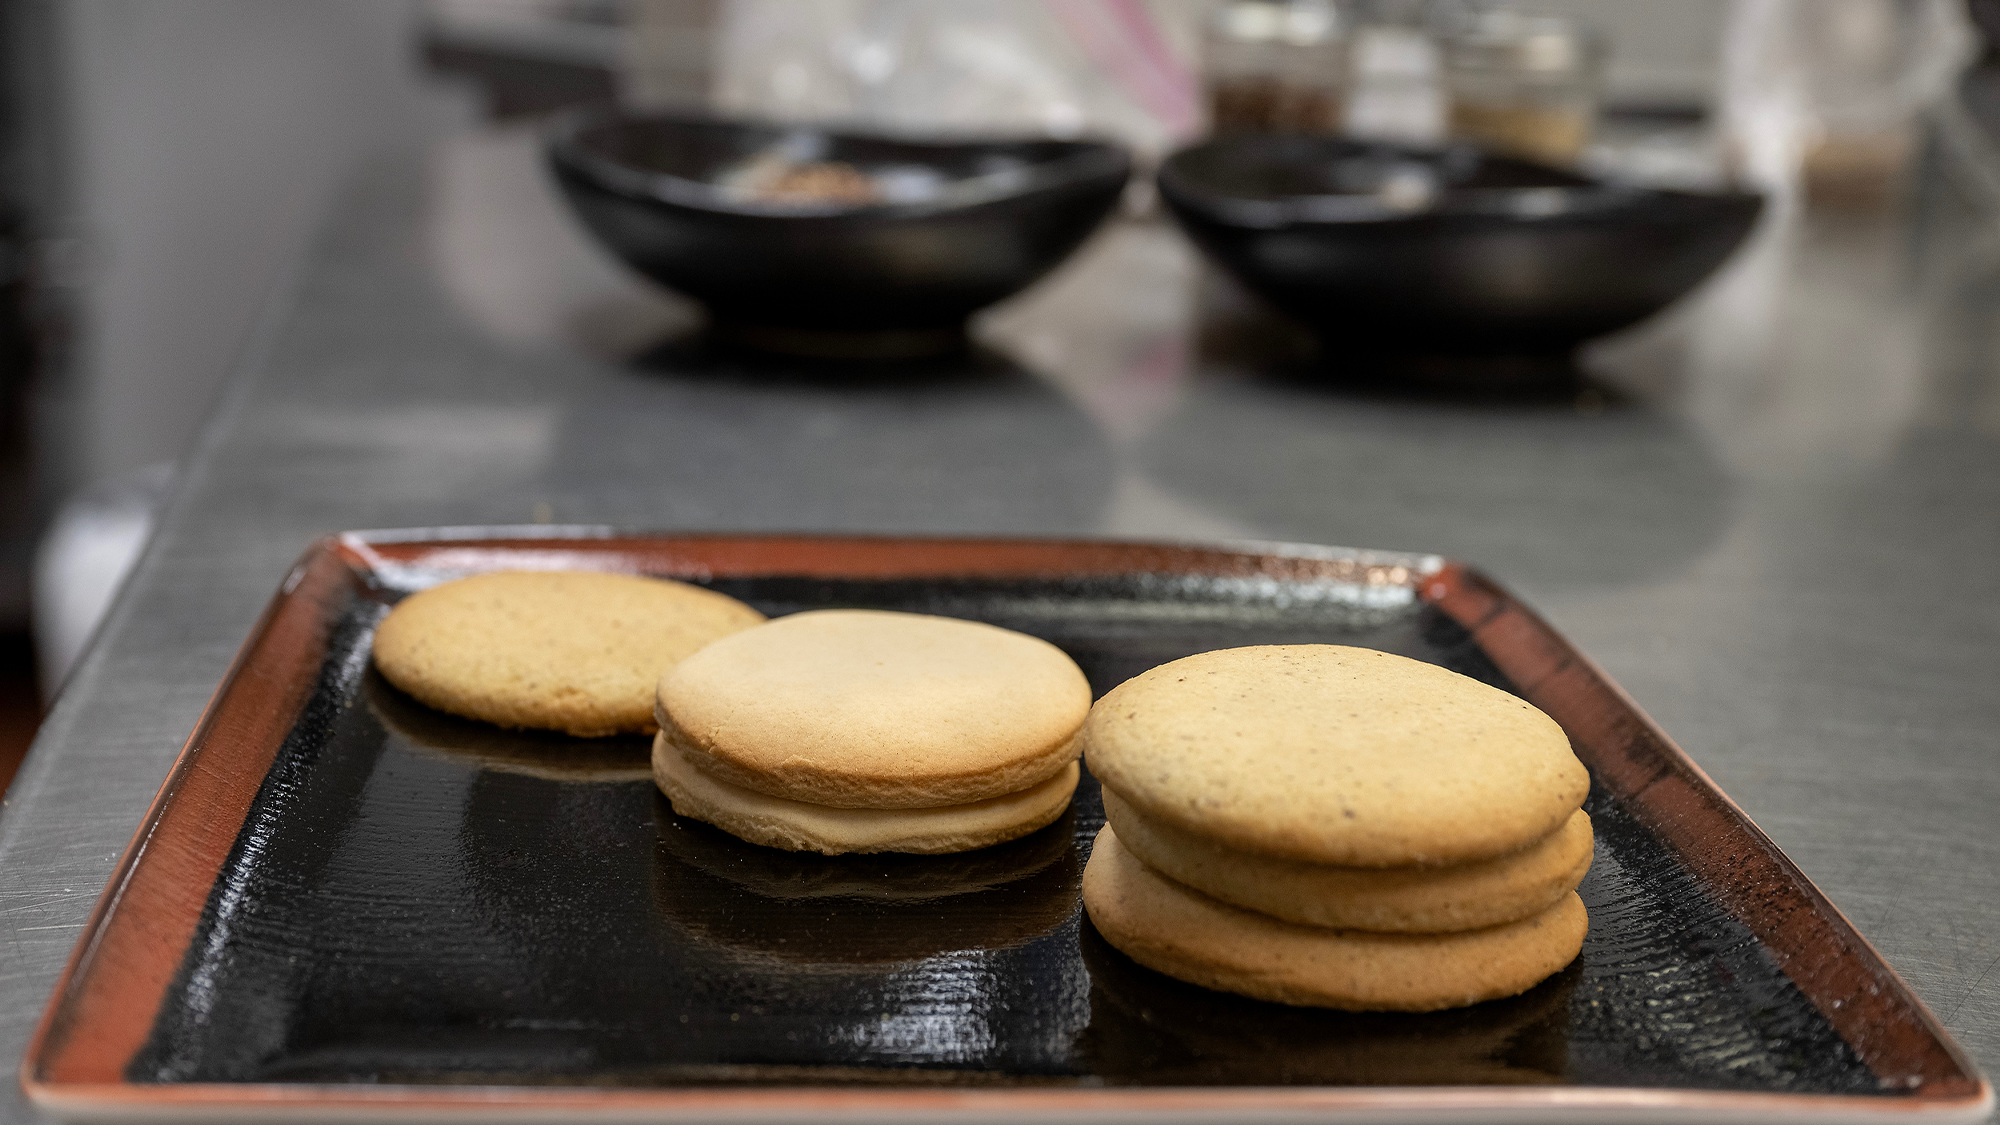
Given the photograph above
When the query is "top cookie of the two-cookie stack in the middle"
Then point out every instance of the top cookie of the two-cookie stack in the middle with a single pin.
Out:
(871, 710)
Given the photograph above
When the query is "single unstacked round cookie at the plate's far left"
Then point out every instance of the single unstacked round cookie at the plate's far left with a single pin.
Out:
(571, 652)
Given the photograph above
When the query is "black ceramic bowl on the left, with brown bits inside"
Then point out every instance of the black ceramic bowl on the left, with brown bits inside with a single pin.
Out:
(951, 229)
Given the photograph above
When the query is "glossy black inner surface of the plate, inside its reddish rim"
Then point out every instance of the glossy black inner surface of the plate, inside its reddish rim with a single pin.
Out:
(423, 900)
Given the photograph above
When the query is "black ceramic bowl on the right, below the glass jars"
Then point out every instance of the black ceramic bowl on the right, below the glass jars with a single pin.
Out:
(1445, 251)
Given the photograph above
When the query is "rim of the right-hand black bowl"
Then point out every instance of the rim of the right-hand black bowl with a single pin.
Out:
(1551, 203)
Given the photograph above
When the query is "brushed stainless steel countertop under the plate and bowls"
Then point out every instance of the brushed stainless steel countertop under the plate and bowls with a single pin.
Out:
(1773, 517)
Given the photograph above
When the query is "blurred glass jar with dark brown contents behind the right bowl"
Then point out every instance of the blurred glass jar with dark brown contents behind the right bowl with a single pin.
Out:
(1275, 67)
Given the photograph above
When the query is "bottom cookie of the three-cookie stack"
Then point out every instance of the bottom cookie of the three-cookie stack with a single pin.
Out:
(1217, 946)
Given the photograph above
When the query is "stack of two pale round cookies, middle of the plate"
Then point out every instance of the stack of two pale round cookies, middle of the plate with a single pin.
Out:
(861, 732)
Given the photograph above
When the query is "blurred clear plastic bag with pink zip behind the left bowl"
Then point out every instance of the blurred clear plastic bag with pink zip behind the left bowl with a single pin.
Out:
(965, 67)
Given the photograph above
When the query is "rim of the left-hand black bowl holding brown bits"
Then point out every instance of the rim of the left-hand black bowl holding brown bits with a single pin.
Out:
(1083, 159)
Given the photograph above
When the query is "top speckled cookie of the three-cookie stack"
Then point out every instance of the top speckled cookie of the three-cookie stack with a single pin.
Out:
(1337, 756)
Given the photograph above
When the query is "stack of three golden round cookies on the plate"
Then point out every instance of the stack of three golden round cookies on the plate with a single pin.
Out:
(1337, 828)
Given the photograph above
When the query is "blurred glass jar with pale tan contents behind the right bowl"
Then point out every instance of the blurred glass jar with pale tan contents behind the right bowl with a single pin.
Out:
(1523, 85)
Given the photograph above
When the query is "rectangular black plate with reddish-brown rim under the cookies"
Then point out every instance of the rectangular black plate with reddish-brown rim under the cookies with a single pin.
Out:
(347, 906)
